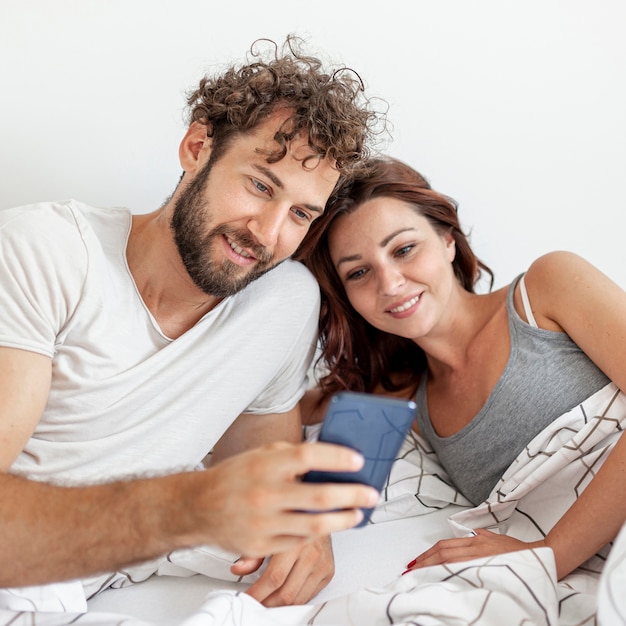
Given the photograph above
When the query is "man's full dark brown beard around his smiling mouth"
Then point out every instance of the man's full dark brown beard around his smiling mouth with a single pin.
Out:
(195, 245)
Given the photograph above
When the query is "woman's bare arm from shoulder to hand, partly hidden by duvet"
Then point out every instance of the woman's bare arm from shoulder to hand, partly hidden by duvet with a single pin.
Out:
(569, 294)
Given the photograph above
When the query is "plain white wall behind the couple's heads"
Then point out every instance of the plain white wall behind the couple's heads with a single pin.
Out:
(515, 109)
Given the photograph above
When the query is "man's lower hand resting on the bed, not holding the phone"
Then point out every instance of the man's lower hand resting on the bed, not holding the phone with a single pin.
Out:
(291, 577)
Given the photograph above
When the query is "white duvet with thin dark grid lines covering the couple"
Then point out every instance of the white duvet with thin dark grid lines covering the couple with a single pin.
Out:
(514, 588)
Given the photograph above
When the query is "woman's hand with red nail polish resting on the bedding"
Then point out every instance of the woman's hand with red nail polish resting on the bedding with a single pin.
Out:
(484, 543)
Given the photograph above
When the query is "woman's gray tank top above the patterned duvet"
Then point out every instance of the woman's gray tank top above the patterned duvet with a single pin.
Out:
(546, 375)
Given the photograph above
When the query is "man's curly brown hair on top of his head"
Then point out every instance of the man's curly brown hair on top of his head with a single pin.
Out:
(329, 106)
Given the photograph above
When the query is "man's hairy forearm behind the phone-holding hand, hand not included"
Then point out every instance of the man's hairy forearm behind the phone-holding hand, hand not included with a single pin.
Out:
(50, 533)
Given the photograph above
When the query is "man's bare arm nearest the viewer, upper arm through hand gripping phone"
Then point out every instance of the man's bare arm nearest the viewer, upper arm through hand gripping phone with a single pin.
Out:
(247, 504)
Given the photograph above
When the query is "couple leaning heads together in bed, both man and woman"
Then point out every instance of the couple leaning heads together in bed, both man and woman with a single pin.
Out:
(133, 345)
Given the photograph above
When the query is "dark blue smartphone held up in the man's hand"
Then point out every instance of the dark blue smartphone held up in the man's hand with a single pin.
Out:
(372, 424)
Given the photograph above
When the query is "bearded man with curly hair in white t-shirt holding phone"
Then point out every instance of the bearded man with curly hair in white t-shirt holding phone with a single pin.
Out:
(132, 345)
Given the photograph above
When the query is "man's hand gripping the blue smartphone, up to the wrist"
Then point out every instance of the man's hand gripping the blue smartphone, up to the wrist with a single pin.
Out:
(255, 504)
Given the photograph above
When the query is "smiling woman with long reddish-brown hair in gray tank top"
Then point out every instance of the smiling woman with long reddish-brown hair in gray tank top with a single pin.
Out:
(400, 315)
